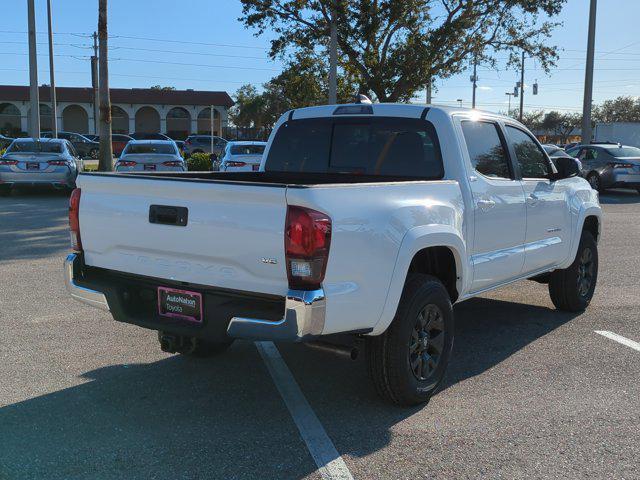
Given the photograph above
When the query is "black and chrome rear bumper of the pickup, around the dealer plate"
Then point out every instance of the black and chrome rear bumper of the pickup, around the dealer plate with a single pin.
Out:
(131, 299)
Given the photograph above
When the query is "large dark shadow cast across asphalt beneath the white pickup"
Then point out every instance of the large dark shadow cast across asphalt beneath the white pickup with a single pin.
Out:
(223, 417)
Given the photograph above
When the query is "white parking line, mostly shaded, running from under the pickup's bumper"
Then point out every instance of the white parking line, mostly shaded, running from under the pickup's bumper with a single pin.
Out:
(329, 462)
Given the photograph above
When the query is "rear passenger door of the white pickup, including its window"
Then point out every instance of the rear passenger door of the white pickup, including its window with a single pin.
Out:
(499, 213)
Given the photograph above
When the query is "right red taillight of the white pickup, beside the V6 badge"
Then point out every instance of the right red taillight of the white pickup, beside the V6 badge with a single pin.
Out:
(307, 242)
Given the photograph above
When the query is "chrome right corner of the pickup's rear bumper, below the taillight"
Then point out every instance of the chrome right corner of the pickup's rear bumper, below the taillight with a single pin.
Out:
(303, 320)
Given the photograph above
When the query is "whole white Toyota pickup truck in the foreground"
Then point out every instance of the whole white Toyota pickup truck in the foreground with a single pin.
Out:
(364, 220)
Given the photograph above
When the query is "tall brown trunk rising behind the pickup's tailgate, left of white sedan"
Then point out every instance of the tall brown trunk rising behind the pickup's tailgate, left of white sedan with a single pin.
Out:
(105, 163)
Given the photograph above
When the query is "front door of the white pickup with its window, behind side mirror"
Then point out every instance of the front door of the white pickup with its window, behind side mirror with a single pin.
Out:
(547, 239)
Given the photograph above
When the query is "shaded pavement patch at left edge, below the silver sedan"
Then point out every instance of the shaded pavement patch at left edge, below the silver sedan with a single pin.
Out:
(33, 224)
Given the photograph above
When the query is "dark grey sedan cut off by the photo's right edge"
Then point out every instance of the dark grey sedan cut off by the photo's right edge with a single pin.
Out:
(607, 165)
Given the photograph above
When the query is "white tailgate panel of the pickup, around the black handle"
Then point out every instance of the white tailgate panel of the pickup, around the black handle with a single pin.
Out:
(233, 238)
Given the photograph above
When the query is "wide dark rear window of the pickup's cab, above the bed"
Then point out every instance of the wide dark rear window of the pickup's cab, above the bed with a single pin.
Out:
(373, 146)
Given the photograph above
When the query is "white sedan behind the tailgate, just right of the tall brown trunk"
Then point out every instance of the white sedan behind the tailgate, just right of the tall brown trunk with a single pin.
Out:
(150, 155)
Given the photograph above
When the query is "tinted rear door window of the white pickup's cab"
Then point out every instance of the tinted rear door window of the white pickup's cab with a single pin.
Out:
(486, 150)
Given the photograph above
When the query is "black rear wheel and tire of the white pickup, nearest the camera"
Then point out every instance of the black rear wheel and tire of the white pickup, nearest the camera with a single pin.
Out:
(420, 336)
